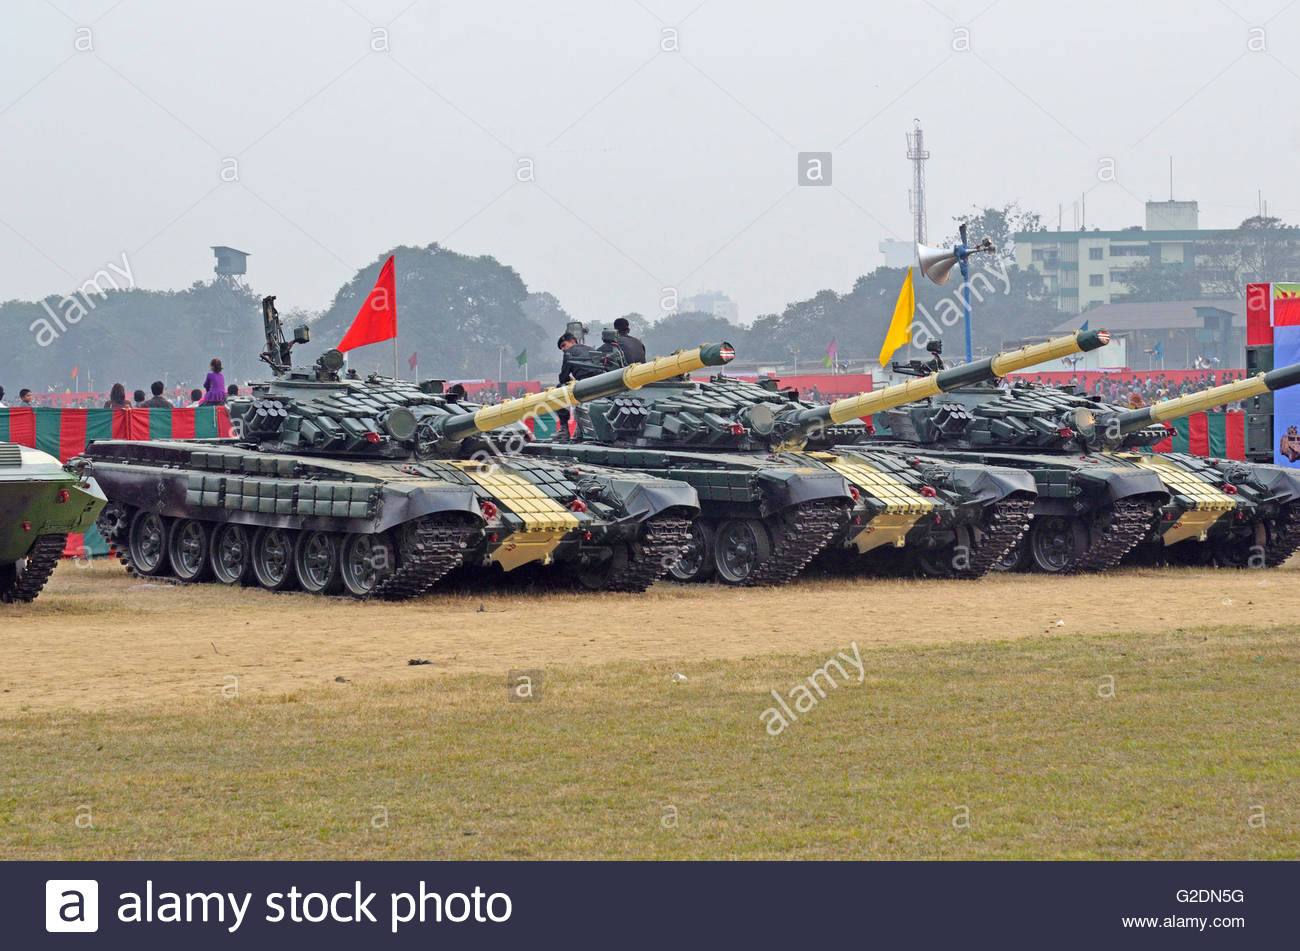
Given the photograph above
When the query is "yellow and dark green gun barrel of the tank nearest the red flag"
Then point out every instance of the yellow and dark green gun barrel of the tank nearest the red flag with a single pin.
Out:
(593, 388)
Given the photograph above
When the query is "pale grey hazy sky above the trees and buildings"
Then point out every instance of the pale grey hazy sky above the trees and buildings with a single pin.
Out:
(655, 168)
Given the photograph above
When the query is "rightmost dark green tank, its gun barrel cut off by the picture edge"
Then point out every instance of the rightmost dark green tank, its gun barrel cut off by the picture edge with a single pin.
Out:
(1099, 496)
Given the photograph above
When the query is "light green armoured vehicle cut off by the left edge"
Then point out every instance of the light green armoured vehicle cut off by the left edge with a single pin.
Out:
(42, 502)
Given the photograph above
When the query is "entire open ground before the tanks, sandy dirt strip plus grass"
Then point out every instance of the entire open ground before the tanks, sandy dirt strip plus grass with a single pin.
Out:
(1149, 714)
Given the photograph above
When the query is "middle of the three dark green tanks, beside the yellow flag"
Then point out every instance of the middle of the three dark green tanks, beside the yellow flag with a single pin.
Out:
(779, 488)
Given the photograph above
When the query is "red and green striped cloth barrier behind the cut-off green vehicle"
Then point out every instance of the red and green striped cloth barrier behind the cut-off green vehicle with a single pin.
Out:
(66, 433)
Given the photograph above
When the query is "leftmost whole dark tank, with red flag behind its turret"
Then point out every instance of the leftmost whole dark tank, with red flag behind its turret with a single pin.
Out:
(379, 488)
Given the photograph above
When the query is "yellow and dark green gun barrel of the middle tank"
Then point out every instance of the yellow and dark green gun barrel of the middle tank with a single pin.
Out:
(921, 388)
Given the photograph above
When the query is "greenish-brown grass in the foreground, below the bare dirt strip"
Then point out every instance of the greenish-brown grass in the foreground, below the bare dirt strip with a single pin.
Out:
(1000, 749)
